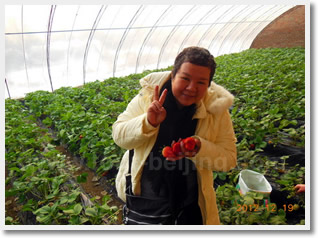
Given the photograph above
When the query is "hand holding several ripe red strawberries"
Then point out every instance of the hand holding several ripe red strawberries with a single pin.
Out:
(187, 147)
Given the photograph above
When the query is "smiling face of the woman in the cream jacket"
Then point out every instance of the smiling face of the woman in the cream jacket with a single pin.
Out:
(190, 83)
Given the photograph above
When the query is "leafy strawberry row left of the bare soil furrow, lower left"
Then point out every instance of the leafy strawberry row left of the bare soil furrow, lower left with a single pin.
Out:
(36, 173)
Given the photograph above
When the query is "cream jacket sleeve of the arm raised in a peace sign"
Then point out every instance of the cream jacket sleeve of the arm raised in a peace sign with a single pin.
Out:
(132, 128)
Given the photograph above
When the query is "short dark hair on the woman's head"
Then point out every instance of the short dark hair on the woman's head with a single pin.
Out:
(195, 55)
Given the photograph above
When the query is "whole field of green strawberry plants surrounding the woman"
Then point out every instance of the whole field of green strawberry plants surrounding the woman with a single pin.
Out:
(58, 142)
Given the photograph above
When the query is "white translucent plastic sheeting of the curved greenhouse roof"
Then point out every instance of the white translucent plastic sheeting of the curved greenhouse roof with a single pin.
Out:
(50, 46)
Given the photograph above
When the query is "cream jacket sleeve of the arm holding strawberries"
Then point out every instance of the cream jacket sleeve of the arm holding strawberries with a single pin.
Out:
(219, 155)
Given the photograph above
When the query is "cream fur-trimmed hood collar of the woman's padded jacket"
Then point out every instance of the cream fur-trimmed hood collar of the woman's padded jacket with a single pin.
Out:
(216, 100)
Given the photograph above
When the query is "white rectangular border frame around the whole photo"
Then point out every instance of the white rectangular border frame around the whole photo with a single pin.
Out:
(122, 227)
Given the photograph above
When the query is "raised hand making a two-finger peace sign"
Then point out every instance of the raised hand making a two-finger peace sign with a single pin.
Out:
(156, 112)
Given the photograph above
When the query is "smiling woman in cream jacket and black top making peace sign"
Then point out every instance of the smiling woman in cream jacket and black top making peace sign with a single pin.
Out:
(173, 106)
